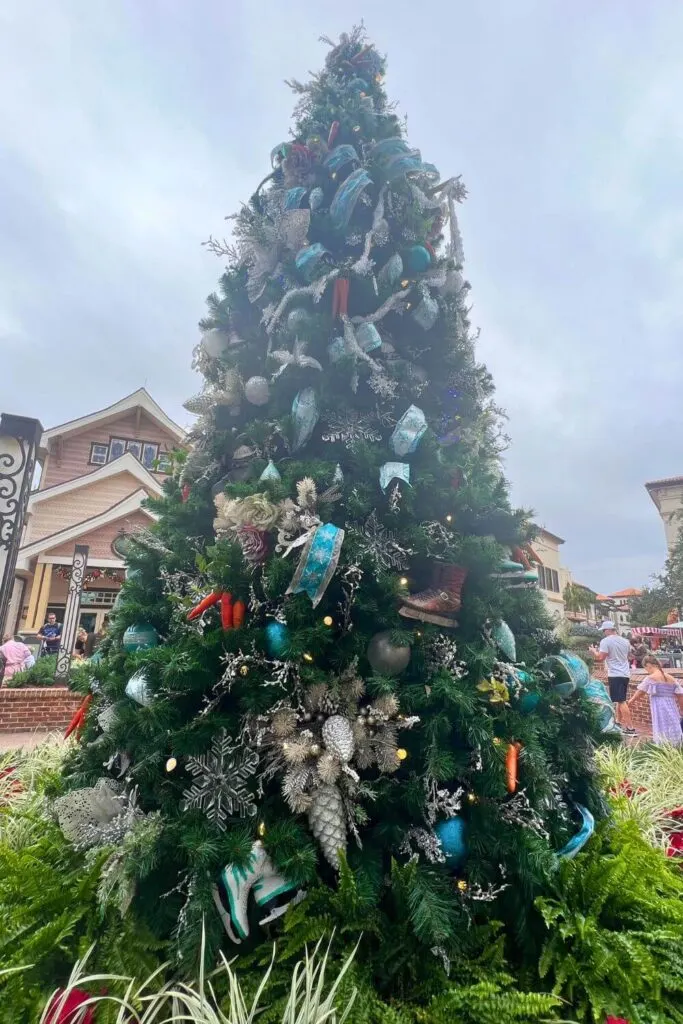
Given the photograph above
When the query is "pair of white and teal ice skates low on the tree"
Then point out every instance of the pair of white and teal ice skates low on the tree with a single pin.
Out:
(260, 877)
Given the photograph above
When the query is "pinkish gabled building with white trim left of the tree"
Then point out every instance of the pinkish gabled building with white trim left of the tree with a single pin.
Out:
(96, 474)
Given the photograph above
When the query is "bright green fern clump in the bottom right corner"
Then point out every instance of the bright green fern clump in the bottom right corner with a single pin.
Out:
(615, 918)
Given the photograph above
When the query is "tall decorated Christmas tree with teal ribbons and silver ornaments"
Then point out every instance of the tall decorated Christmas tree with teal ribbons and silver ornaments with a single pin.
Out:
(330, 688)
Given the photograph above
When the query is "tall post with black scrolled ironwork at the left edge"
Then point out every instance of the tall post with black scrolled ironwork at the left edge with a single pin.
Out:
(20, 438)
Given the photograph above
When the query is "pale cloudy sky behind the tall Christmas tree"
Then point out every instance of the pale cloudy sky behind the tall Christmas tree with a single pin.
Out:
(130, 130)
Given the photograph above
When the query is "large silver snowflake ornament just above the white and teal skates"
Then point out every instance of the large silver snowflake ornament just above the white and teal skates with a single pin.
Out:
(222, 776)
